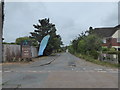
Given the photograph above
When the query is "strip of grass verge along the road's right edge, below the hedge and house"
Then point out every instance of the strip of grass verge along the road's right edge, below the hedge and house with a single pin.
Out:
(103, 63)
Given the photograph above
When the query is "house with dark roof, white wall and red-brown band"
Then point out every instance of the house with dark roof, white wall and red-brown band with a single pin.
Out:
(110, 35)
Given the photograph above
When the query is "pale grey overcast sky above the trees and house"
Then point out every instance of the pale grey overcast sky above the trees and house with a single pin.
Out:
(70, 18)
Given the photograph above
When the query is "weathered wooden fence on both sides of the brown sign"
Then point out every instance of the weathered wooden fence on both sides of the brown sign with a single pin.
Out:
(13, 52)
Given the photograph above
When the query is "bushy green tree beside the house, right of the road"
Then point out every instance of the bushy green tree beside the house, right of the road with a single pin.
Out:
(87, 44)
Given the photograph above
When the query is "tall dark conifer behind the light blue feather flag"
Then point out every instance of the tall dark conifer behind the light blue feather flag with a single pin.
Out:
(46, 28)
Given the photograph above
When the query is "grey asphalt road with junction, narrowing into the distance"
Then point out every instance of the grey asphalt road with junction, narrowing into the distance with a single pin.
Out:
(63, 71)
